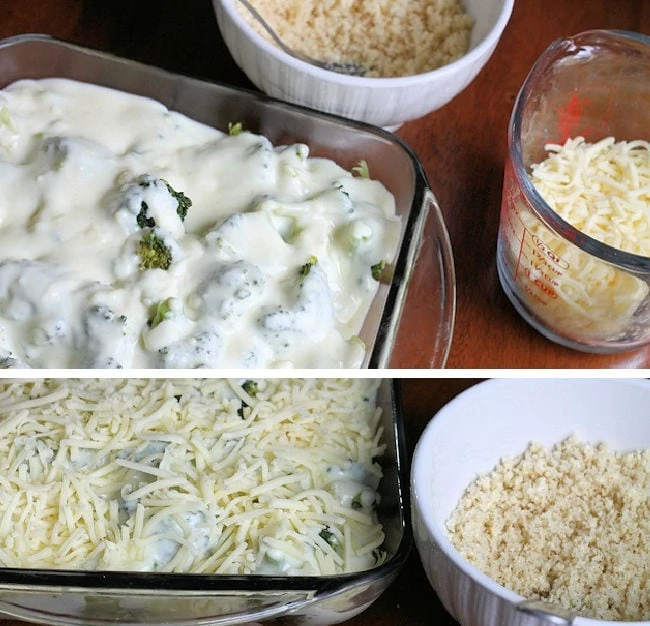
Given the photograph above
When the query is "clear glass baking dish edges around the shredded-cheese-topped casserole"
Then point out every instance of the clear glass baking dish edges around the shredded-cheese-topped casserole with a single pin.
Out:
(95, 597)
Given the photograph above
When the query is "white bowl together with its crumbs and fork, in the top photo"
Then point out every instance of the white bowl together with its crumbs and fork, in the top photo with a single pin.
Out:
(407, 58)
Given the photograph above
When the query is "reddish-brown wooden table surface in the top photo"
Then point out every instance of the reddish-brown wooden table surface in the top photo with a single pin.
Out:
(462, 147)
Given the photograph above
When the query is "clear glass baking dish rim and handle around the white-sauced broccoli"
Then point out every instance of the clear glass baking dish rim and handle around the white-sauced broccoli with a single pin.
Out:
(346, 142)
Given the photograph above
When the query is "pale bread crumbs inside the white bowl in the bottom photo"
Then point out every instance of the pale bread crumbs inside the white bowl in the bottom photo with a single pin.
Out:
(568, 524)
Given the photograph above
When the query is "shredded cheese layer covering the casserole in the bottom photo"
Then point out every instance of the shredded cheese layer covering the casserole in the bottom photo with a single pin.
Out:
(207, 476)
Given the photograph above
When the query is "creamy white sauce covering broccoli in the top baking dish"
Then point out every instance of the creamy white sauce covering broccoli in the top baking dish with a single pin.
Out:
(270, 266)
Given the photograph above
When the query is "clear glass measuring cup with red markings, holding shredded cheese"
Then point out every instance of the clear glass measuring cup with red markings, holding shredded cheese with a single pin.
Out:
(575, 290)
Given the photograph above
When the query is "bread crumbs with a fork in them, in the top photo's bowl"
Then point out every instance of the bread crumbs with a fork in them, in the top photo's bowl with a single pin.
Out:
(371, 34)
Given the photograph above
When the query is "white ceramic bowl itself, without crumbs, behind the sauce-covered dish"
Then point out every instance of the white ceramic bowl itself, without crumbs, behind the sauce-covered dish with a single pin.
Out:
(386, 102)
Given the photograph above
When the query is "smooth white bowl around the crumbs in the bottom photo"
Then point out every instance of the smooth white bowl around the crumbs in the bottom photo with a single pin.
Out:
(498, 418)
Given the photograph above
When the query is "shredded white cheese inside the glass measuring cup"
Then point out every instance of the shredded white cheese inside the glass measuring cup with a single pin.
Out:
(603, 190)
